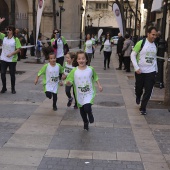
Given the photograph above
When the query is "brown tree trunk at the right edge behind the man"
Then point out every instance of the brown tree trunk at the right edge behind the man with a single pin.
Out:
(167, 76)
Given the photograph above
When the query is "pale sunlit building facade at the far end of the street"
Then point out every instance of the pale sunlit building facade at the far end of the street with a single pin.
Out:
(101, 16)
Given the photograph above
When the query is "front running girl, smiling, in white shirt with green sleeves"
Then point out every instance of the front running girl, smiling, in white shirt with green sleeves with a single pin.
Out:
(83, 77)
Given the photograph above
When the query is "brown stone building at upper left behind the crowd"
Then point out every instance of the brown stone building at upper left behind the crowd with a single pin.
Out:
(22, 12)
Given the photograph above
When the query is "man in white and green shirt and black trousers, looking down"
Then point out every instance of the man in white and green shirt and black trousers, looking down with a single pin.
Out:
(144, 61)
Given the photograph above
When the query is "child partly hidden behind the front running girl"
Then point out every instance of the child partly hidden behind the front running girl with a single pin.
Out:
(67, 69)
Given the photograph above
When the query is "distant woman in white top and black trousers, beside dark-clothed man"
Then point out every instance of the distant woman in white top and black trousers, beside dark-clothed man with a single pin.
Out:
(107, 46)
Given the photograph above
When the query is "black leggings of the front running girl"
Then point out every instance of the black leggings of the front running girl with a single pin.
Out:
(86, 110)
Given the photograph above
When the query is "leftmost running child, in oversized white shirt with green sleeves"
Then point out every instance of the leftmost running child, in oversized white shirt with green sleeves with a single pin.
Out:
(50, 74)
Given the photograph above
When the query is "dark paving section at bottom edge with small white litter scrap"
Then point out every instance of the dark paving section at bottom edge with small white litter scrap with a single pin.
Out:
(85, 164)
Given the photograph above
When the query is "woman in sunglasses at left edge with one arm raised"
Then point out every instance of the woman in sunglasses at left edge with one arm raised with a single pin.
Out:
(10, 48)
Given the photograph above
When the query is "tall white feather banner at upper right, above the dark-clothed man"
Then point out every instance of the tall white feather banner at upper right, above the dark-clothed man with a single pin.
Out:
(118, 17)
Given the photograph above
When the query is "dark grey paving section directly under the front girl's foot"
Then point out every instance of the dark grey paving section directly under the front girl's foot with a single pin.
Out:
(74, 138)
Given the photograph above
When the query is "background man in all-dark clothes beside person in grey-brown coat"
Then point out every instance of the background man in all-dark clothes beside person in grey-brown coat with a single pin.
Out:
(119, 50)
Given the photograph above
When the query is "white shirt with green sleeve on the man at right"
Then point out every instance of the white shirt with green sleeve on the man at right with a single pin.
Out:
(147, 57)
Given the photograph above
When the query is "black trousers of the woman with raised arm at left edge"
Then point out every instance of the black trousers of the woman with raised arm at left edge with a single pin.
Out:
(12, 70)
